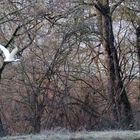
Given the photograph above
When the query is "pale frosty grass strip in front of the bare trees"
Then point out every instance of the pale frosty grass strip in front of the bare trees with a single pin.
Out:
(106, 135)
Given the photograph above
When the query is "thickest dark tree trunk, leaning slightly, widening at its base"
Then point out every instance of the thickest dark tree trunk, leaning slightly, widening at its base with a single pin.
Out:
(120, 105)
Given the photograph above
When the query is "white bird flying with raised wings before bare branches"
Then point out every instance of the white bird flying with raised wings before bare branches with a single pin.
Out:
(9, 57)
